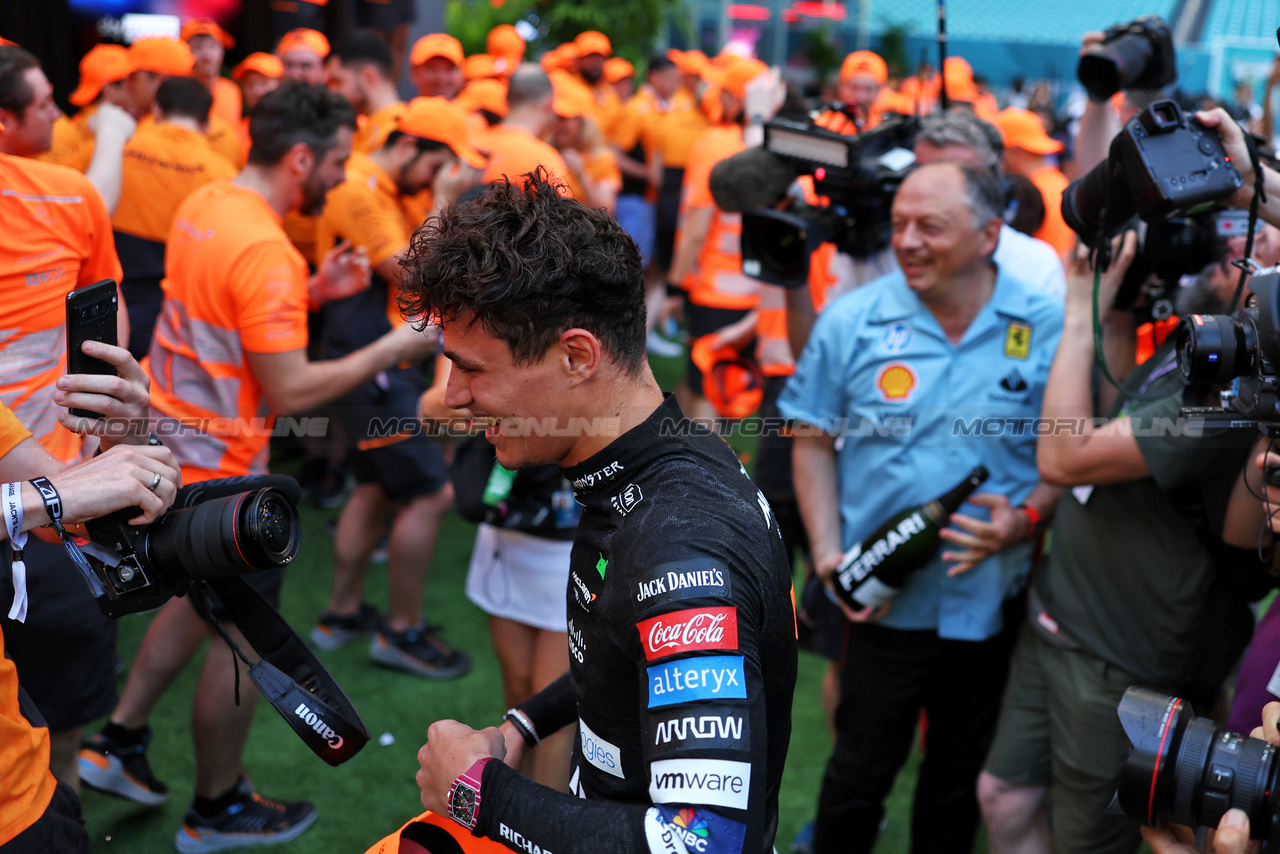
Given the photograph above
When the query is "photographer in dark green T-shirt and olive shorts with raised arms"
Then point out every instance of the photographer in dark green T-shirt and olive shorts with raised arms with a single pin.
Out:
(1124, 596)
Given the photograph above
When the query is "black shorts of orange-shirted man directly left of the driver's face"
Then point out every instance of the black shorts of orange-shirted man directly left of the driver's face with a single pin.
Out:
(391, 450)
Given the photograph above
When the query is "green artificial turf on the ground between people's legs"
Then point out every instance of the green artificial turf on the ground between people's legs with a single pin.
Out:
(374, 793)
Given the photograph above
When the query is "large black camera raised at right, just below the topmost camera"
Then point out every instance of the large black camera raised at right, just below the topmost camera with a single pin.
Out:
(1163, 165)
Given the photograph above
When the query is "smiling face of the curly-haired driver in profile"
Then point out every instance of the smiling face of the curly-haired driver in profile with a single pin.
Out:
(519, 399)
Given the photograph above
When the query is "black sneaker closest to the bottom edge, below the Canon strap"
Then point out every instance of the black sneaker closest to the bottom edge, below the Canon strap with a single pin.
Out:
(253, 820)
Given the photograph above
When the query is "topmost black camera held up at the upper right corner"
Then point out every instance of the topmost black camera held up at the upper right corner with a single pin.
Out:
(1135, 56)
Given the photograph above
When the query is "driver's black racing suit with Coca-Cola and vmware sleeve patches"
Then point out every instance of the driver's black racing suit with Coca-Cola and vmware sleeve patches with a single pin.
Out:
(682, 633)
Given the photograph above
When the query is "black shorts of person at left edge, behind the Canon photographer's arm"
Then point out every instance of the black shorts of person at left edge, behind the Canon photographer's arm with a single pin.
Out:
(66, 650)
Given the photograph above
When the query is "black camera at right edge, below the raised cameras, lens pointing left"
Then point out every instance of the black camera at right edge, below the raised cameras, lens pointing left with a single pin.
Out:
(1240, 351)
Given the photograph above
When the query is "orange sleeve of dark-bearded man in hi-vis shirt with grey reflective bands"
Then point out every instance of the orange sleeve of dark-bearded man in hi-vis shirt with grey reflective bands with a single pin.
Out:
(271, 299)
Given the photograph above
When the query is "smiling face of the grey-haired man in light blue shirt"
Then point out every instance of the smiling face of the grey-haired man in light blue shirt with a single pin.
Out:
(936, 240)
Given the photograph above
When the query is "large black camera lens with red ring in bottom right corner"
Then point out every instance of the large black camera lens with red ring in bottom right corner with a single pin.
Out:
(1191, 771)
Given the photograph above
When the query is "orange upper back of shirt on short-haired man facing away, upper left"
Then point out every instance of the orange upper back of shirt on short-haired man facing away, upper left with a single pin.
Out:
(163, 165)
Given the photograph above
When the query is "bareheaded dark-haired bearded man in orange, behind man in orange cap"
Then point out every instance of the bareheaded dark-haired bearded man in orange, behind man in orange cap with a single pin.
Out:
(360, 70)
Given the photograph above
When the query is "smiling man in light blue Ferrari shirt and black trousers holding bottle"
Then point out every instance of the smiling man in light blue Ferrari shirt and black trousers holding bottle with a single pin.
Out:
(904, 386)
